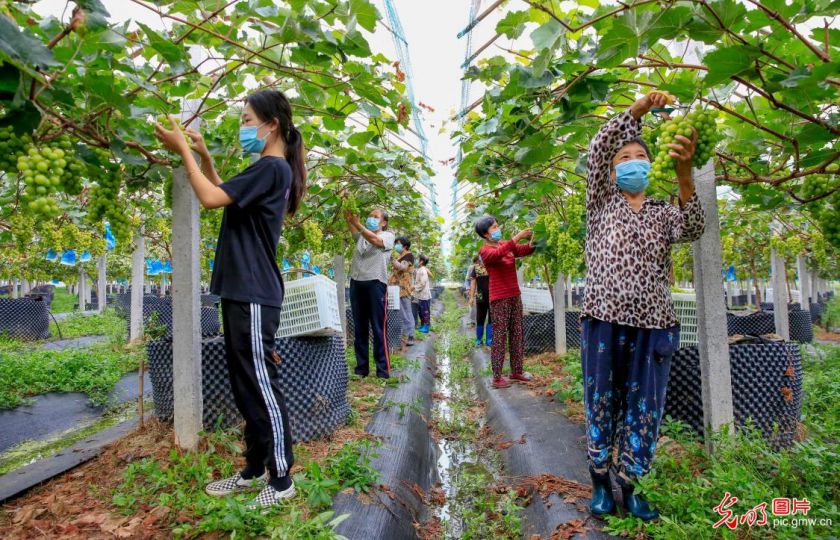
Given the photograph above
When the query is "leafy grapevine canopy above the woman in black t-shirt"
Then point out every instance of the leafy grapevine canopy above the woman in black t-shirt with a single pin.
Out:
(96, 82)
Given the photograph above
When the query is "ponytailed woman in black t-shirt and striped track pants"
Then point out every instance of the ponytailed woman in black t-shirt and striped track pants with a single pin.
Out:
(246, 277)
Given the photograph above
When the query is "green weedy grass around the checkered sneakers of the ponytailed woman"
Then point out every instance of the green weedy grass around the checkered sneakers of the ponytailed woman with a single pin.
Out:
(177, 482)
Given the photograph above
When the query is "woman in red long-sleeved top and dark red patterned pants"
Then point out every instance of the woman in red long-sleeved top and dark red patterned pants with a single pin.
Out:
(499, 257)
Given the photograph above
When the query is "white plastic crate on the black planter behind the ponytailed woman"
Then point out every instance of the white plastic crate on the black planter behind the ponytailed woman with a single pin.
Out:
(310, 308)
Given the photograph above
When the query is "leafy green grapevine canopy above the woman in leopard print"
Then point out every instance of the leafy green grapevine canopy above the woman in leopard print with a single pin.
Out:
(769, 69)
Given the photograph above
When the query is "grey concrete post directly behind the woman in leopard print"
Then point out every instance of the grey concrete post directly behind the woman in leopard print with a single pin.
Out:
(715, 375)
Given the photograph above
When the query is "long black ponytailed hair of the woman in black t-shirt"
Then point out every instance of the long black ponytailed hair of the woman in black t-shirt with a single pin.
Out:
(271, 104)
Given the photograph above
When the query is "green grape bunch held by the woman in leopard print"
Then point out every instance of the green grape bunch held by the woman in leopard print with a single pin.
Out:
(703, 122)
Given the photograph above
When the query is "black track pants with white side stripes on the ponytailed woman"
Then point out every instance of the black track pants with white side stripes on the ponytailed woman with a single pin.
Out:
(249, 331)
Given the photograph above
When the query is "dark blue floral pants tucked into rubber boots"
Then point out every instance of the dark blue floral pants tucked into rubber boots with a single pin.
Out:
(625, 376)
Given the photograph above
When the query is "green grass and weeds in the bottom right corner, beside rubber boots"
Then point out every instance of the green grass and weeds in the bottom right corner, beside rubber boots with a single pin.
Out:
(686, 483)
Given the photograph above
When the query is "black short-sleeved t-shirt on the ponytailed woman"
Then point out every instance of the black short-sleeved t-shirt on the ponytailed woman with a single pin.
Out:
(245, 268)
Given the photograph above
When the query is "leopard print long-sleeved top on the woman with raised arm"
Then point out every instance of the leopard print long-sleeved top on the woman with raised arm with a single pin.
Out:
(628, 254)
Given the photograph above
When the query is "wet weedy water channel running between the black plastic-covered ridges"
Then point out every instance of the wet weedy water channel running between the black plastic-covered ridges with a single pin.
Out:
(468, 468)
